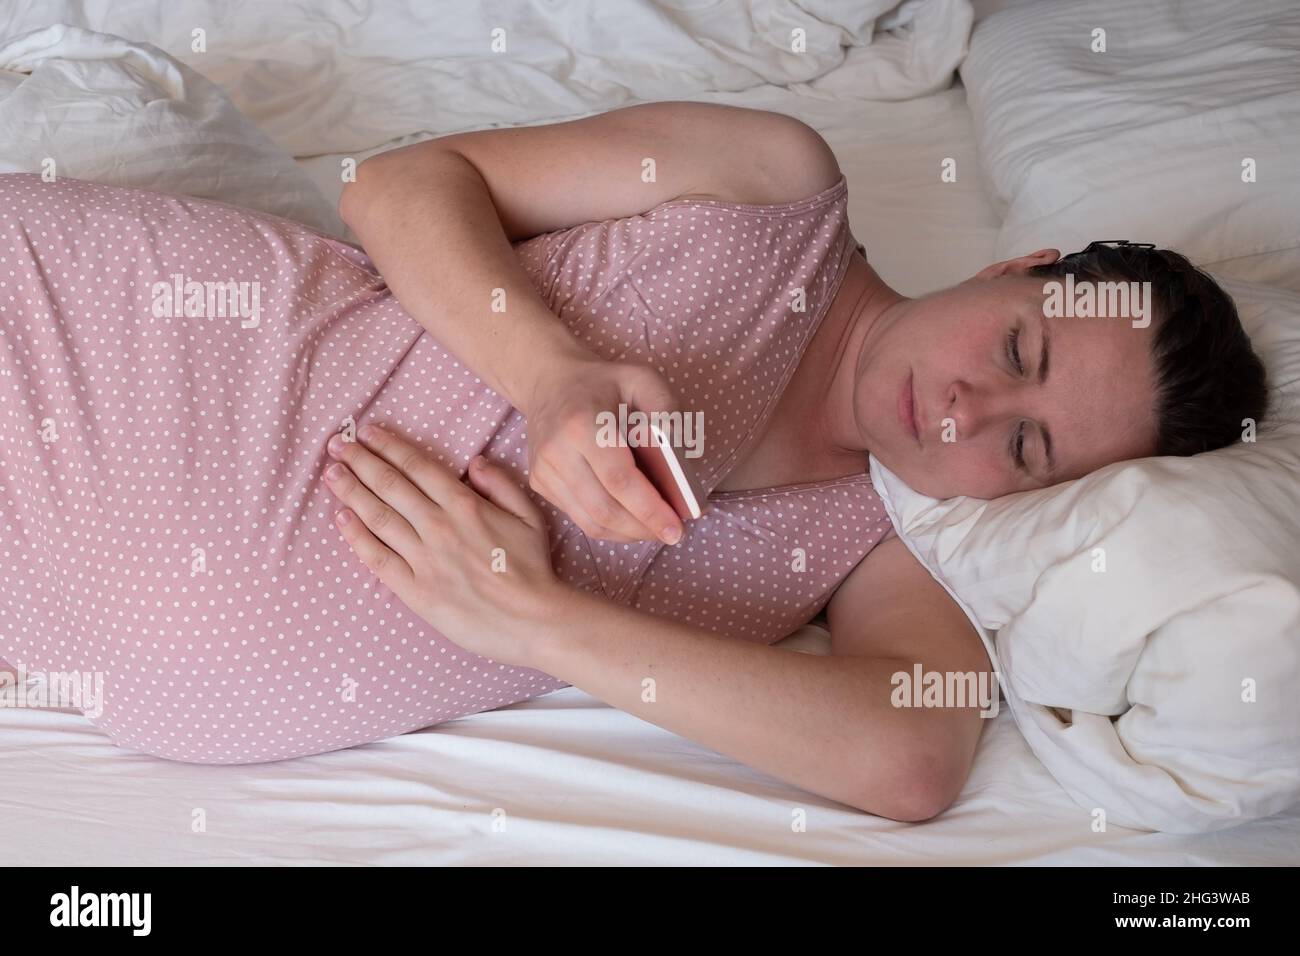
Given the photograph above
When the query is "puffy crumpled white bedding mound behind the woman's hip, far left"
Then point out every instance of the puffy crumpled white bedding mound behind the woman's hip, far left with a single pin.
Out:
(129, 115)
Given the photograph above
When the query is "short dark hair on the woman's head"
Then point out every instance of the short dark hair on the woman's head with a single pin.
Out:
(1208, 378)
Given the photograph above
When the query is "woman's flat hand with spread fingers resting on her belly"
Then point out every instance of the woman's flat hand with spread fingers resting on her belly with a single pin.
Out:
(473, 561)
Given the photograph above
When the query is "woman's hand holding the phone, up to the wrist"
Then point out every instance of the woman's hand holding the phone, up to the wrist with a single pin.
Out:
(575, 468)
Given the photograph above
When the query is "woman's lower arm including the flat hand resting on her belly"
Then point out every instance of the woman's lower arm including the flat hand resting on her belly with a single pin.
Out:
(826, 724)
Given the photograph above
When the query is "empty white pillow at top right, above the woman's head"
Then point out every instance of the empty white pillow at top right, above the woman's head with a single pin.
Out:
(1147, 140)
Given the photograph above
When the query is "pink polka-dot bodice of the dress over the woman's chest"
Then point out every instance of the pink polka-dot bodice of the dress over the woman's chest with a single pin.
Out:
(704, 291)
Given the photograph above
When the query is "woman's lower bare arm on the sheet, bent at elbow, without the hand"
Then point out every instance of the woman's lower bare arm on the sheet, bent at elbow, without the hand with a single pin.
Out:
(826, 724)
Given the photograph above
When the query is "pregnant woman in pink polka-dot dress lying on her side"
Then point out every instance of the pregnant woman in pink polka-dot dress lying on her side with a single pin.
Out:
(170, 525)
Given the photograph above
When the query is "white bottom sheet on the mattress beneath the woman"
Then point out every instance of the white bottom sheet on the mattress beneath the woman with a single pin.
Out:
(574, 780)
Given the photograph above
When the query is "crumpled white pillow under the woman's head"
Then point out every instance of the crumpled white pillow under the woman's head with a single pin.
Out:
(1198, 608)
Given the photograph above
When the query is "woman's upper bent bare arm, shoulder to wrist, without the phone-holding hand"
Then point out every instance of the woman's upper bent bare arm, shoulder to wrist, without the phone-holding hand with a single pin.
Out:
(437, 219)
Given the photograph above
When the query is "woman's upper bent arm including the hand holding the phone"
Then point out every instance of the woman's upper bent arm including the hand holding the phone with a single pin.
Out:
(437, 219)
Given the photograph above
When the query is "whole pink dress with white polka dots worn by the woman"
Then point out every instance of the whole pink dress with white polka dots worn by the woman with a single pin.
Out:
(171, 370)
